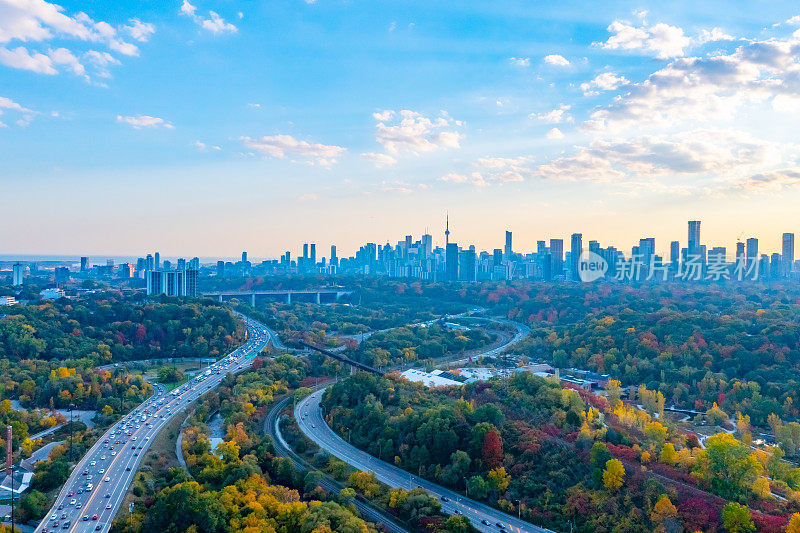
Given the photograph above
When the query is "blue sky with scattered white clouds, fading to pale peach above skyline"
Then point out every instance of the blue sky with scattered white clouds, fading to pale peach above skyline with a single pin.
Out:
(209, 126)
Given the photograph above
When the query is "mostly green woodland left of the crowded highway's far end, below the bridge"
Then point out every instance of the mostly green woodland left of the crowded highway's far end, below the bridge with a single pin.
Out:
(111, 326)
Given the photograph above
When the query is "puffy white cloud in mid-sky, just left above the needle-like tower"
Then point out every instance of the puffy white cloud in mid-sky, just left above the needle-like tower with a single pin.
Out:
(414, 132)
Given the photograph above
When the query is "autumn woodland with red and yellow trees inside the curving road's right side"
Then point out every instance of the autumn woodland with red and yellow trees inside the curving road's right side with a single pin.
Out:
(564, 458)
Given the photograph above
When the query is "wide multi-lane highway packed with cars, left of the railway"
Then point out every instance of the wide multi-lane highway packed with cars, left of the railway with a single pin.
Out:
(98, 484)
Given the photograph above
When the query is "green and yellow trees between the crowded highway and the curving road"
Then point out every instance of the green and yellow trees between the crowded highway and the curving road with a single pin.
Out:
(243, 486)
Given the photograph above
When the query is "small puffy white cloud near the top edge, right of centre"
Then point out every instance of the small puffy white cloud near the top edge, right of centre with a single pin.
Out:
(662, 40)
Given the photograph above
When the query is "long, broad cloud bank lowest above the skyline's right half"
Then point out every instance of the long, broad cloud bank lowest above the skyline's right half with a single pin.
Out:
(714, 160)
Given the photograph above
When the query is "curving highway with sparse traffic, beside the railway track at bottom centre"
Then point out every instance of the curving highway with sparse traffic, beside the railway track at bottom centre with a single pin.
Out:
(308, 414)
